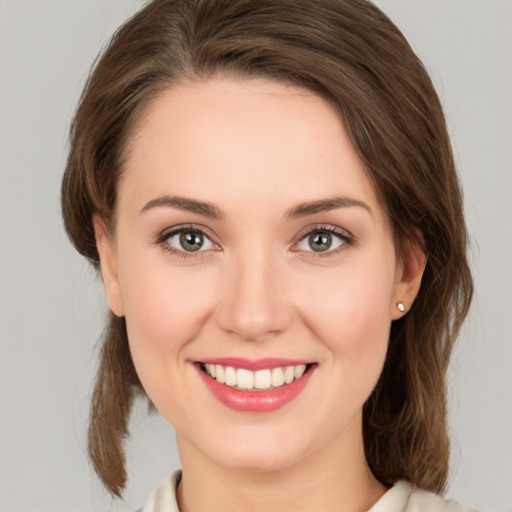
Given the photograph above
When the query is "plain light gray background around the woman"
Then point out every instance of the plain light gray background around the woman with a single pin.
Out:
(52, 307)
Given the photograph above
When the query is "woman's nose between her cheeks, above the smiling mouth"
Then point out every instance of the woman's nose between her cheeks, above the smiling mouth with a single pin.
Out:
(253, 301)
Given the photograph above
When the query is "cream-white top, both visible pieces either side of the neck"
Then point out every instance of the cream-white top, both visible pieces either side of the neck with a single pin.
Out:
(402, 497)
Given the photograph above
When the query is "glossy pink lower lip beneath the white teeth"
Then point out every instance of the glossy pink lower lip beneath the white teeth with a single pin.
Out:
(256, 401)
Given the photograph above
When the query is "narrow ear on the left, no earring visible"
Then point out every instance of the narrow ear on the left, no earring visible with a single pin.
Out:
(108, 266)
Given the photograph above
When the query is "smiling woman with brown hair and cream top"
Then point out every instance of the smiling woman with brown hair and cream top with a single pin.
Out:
(269, 192)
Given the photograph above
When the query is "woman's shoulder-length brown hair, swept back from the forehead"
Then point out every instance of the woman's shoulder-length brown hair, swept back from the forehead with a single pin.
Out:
(351, 54)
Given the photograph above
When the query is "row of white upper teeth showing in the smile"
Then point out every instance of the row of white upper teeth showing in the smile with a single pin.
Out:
(258, 380)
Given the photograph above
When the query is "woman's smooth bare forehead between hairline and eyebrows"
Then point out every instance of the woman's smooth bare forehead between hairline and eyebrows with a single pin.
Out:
(256, 139)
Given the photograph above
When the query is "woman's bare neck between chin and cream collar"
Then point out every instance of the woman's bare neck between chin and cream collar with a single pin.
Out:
(335, 479)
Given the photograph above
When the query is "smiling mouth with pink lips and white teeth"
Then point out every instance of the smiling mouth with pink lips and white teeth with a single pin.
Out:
(256, 389)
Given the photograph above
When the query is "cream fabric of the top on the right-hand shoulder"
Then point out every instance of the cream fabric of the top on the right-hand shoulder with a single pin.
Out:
(403, 497)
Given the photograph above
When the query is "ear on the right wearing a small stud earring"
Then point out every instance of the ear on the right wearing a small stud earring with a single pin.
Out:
(409, 271)
